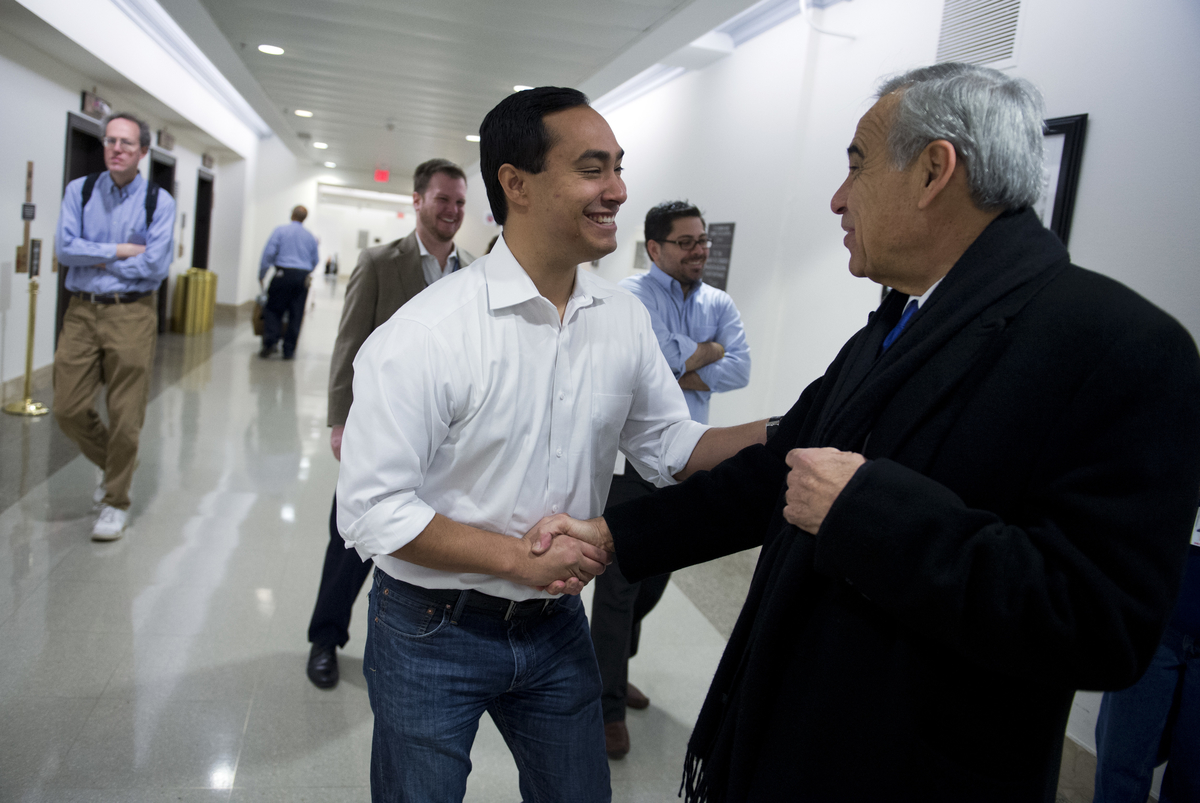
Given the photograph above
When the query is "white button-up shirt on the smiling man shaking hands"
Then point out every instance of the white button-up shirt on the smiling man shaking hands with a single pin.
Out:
(475, 401)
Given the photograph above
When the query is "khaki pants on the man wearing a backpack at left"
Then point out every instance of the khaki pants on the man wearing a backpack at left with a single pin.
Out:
(113, 345)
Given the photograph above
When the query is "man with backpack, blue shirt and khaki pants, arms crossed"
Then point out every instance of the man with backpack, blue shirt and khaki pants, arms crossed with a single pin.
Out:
(116, 237)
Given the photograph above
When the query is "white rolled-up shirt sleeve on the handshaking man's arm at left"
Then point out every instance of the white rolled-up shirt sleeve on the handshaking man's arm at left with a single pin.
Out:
(404, 406)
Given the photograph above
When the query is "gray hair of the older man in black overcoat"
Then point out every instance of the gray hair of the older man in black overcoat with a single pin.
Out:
(993, 121)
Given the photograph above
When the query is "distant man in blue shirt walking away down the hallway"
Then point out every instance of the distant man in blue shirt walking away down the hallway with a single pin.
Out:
(292, 250)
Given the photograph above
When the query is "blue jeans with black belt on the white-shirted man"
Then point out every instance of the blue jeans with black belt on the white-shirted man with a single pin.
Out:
(435, 668)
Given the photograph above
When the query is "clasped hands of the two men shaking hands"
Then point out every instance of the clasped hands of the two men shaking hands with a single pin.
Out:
(565, 554)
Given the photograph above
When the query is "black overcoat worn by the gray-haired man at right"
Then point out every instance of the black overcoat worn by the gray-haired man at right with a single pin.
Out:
(1019, 534)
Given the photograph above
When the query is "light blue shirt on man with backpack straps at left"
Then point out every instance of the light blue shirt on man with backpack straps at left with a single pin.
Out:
(115, 215)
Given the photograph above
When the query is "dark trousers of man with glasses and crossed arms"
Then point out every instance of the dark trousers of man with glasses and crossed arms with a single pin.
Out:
(619, 608)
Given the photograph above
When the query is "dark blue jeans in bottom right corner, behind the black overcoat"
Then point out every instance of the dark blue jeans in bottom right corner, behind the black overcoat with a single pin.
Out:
(1155, 721)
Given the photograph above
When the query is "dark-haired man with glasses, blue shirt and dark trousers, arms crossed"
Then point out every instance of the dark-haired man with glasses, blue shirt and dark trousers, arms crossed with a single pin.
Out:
(700, 333)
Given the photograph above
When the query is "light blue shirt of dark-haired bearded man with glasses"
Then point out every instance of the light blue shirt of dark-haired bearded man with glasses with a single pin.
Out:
(681, 325)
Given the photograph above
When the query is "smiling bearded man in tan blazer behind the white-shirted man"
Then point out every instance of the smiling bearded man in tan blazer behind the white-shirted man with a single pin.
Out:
(386, 278)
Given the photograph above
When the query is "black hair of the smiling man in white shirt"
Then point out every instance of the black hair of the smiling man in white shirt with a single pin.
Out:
(515, 134)
